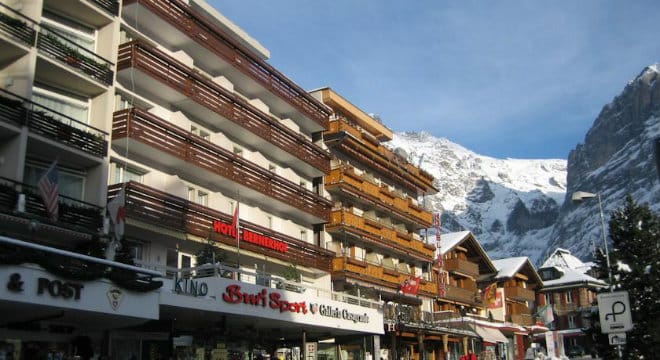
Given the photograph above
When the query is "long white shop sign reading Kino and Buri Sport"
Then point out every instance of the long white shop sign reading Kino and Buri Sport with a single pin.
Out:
(231, 296)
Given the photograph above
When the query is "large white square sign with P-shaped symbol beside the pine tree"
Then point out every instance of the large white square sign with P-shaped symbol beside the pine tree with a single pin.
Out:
(614, 312)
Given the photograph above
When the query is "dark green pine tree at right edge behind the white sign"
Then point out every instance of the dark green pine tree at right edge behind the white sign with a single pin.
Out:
(635, 260)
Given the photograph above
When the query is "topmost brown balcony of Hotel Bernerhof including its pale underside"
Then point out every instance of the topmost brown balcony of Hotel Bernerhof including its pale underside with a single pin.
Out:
(219, 51)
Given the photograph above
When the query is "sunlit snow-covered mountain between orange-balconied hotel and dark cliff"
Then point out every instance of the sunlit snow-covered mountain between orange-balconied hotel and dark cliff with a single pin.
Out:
(509, 204)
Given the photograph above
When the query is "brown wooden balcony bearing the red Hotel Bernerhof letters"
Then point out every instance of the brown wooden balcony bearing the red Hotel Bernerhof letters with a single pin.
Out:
(160, 209)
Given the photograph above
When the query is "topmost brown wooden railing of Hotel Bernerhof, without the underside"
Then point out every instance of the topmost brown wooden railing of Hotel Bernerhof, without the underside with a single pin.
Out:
(223, 45)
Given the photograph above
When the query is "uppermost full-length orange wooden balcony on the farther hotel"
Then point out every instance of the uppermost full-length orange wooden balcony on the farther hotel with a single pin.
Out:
(360, 145)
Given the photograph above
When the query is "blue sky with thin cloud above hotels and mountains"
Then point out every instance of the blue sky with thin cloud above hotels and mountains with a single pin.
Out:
(507, 79)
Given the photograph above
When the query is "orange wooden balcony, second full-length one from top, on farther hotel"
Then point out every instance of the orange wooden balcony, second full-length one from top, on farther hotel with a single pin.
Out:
(345, 177)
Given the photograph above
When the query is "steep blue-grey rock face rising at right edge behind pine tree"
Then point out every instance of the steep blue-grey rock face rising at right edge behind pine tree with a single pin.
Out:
(617, 158)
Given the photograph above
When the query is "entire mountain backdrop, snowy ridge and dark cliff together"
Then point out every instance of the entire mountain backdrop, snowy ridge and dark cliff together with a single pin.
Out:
(523, 207)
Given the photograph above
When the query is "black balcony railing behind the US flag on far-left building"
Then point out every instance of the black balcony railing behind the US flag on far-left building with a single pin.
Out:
(73, 214)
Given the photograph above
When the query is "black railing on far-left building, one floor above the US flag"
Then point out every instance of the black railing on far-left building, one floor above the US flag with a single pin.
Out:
(52, 124)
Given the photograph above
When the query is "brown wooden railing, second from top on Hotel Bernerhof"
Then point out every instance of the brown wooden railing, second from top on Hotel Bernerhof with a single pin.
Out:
(214, 97)
